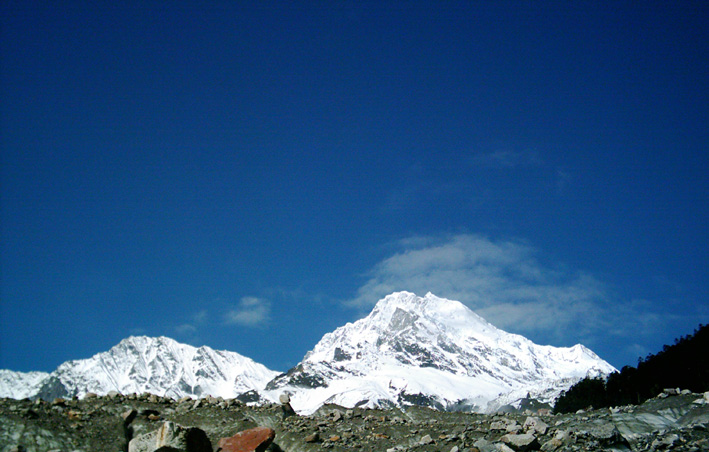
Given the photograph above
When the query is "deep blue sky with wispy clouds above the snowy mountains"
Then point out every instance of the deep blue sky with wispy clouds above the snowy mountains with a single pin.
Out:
(251, 177)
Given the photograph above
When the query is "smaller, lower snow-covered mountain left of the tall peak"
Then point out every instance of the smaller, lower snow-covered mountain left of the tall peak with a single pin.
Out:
(159, 366)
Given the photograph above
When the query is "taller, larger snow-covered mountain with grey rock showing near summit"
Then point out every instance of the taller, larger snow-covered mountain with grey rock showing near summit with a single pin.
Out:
(431, 351)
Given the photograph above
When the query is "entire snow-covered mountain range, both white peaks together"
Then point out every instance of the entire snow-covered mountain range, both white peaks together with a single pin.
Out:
(409, 350)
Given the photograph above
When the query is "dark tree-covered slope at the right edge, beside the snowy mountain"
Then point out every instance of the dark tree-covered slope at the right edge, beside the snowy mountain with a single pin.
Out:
(682, 365)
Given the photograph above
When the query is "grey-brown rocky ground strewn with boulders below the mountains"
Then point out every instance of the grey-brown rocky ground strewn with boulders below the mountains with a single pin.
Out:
(675, 420)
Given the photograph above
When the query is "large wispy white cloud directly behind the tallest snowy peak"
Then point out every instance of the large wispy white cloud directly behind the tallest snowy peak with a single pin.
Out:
(501, 280)
